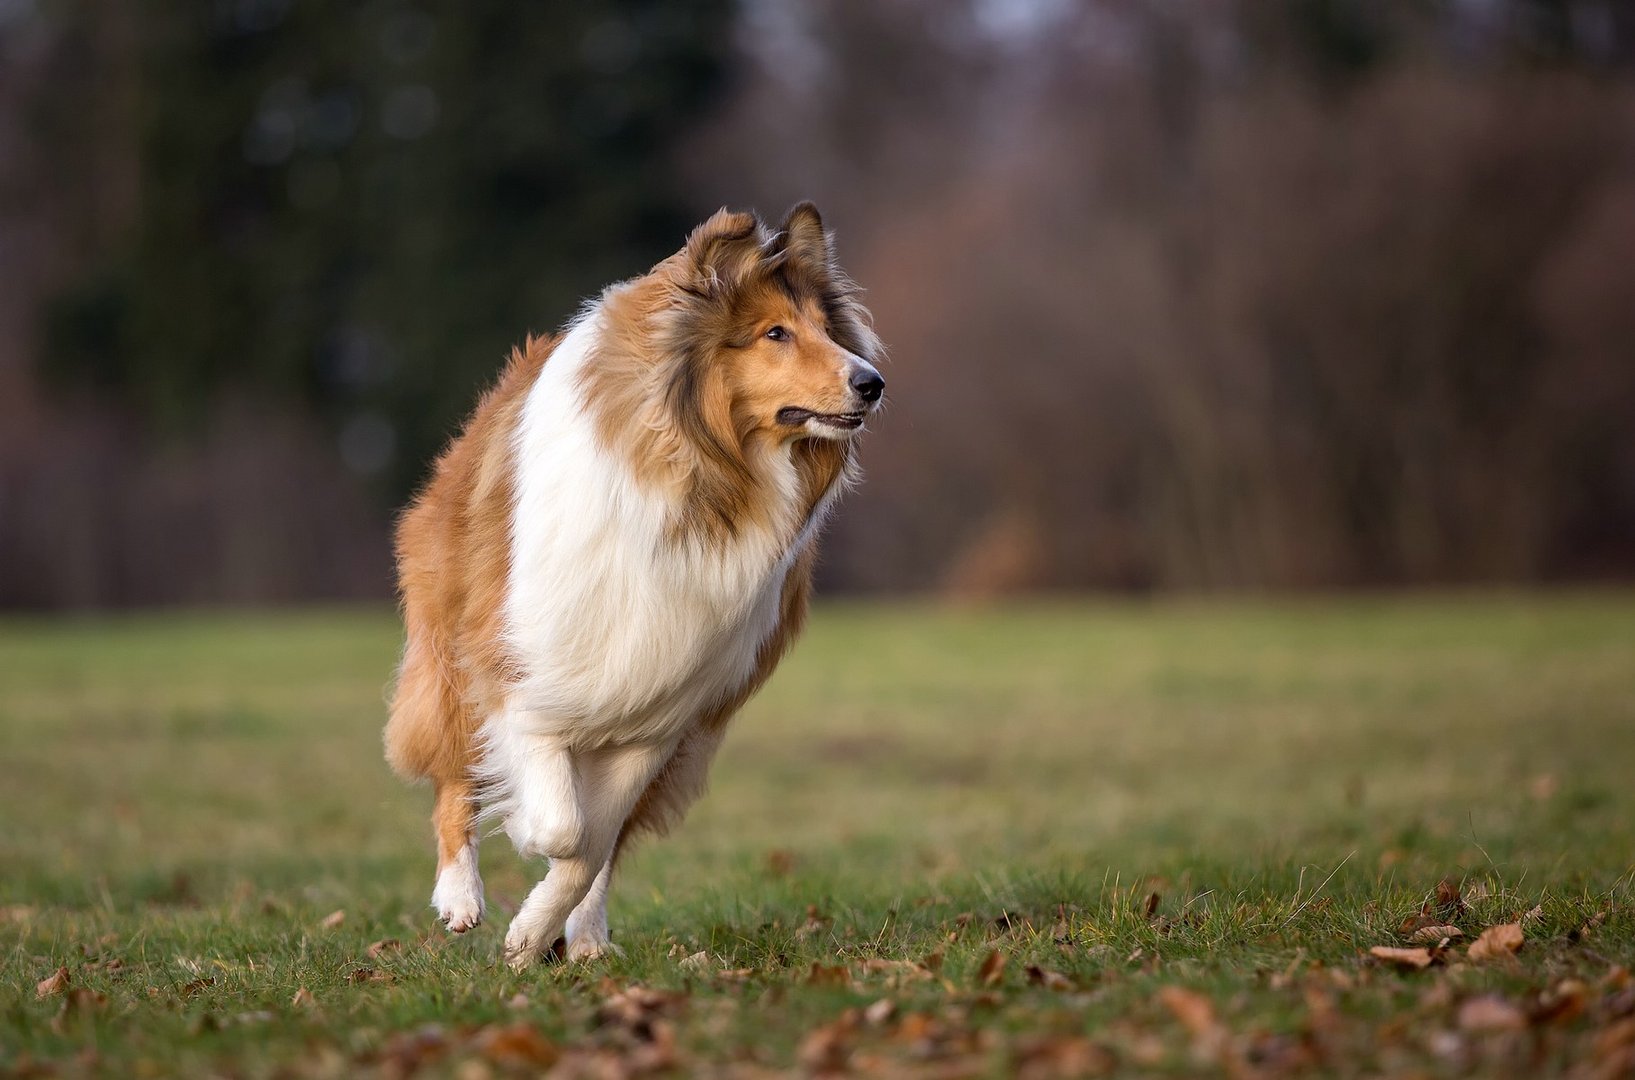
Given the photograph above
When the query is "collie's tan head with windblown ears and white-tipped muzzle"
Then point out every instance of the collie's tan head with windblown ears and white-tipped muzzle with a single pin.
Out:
(769, 331)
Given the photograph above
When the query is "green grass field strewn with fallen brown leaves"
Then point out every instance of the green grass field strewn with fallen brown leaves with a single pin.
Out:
(1041, 841)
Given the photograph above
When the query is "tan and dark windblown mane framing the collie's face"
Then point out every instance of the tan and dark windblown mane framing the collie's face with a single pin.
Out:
(660, 395)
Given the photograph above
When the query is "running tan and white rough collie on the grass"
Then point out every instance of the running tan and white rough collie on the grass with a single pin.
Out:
(616, 555)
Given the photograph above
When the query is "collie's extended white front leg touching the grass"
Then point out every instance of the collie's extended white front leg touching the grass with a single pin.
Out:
(611, 780)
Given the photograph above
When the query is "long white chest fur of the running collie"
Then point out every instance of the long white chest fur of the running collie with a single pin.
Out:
(622, 635)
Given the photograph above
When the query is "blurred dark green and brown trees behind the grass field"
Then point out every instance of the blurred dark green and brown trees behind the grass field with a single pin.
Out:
(1181, 295)
